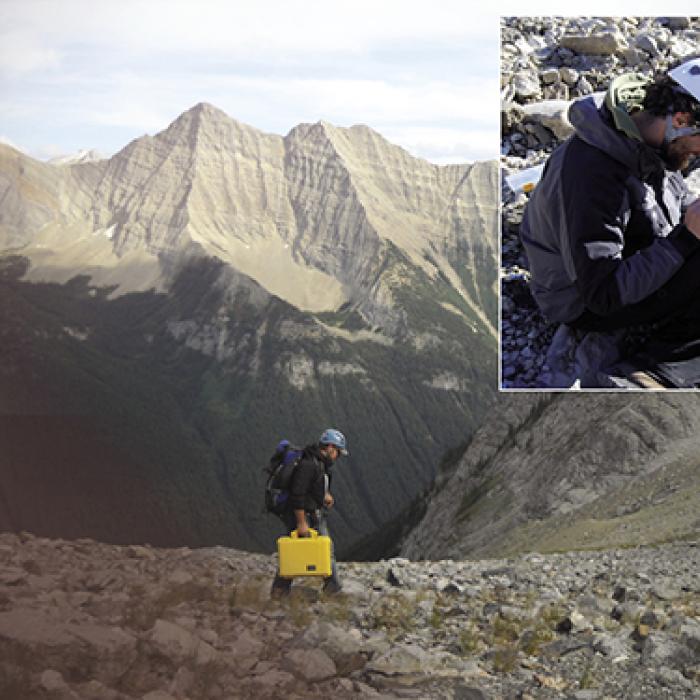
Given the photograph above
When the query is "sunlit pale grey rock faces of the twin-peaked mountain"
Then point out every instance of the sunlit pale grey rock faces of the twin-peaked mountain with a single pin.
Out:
(271, 207)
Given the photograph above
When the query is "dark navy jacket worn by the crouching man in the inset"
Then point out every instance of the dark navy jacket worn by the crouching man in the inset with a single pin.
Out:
(602, 229)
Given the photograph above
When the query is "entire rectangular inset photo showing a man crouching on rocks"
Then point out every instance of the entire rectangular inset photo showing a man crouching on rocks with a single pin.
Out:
(600, 287)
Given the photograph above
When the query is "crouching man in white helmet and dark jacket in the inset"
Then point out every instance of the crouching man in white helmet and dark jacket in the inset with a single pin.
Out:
(611, 231)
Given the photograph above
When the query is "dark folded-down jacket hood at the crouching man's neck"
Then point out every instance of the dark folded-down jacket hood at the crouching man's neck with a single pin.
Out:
(613, 133)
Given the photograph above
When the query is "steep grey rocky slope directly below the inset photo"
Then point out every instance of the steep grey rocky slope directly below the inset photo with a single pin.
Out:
(569, 471)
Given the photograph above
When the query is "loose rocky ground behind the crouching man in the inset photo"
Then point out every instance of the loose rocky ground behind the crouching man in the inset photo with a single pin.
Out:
(545, 64)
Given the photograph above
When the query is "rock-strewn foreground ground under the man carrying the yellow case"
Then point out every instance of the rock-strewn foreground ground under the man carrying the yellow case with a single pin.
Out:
(81, 619)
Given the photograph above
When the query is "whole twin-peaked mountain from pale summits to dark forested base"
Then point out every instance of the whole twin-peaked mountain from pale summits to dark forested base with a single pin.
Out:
(169, 314)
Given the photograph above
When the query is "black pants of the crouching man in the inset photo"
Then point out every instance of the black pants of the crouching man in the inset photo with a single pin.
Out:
(677, 301)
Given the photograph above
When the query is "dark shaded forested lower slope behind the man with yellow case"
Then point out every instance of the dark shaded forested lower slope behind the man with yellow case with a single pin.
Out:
(176, 401)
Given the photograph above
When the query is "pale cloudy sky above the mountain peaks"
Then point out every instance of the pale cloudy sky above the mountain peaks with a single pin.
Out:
(78, 74)
